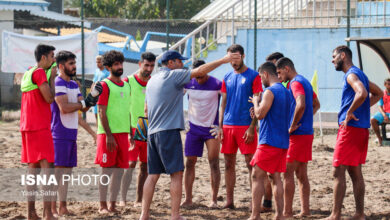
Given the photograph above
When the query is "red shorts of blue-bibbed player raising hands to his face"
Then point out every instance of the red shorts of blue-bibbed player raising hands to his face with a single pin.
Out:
(270, 159)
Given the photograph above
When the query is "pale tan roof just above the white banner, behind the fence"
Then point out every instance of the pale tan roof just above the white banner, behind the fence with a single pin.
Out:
(102, 37)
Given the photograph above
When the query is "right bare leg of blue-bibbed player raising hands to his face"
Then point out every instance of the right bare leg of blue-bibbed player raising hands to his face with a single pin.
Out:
(278, 195)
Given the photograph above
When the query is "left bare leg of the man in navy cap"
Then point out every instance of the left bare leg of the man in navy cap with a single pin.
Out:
(147, 196)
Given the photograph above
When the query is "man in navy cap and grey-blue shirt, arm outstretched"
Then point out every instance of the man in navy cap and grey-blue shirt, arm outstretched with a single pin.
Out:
(164, 104)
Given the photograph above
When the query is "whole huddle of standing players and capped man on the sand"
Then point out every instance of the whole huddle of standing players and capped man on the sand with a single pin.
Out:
(283, 113)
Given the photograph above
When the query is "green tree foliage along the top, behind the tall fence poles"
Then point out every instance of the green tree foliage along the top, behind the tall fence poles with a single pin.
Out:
(139, 9)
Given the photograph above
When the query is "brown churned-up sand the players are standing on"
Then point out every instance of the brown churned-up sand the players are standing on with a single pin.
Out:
(376, 172)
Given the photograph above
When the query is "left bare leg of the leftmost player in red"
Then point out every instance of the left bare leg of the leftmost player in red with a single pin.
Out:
(33, 168)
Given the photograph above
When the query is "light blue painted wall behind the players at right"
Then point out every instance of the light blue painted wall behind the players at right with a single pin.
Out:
(310, 50)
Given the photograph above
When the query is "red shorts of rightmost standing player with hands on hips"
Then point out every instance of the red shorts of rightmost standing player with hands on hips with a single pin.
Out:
(351, 146)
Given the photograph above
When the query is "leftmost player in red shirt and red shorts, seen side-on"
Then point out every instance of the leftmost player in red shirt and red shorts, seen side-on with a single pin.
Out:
(37, 142)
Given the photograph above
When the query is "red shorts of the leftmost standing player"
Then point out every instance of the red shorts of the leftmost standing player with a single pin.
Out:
(36, 146)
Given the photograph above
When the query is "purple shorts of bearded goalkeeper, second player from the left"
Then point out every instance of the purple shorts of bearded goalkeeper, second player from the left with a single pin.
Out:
(65, 153)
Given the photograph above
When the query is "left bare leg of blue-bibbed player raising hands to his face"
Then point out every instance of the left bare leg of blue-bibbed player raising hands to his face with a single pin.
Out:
(258, 176)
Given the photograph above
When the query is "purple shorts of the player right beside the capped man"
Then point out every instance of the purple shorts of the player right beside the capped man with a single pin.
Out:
(195, 139)
